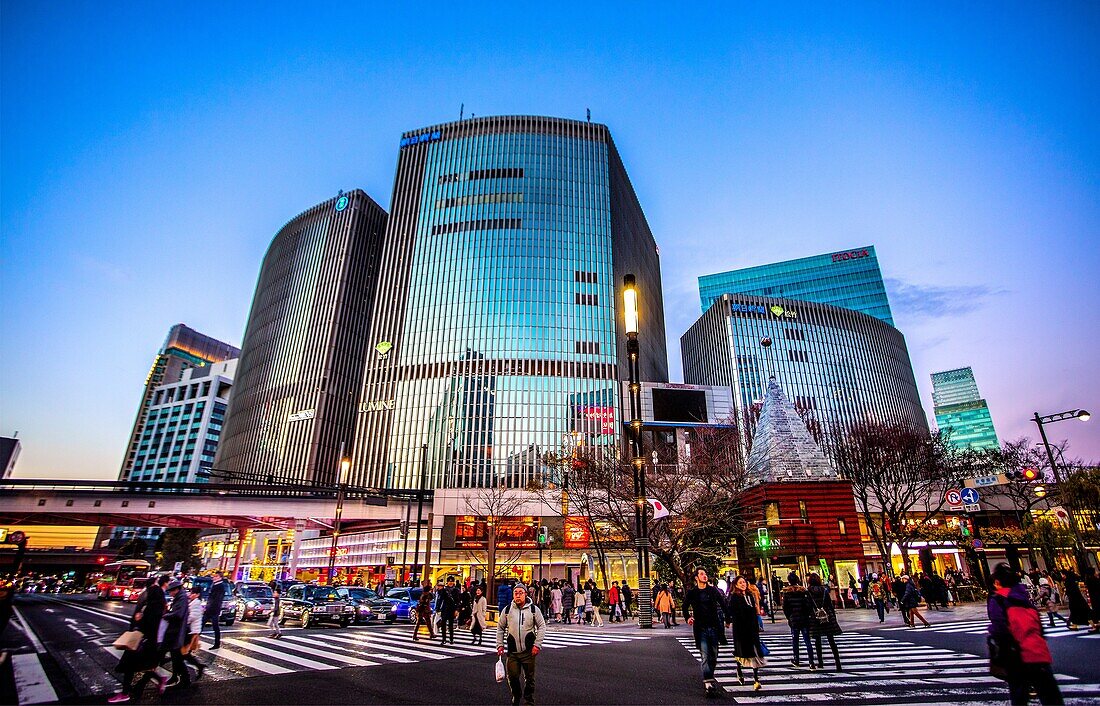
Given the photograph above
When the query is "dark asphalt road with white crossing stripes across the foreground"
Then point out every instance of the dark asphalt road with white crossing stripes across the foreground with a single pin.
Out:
(617, 665)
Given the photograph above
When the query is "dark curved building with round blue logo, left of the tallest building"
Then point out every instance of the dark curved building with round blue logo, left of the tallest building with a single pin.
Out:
(298, 382)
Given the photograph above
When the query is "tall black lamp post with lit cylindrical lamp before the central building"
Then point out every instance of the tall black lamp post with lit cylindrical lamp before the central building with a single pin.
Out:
(637, 460)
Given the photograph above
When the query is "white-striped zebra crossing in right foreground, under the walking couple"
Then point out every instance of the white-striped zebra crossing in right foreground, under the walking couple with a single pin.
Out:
(877, 669)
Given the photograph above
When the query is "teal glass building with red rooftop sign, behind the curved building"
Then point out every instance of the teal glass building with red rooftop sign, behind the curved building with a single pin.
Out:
(850, 280)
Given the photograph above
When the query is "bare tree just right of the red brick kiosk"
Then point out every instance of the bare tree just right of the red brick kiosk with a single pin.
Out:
(900, 478)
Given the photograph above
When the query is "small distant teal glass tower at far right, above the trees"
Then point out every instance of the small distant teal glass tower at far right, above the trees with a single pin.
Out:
(961, 412)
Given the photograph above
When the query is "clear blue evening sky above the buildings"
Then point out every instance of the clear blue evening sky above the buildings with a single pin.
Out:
(149, 157)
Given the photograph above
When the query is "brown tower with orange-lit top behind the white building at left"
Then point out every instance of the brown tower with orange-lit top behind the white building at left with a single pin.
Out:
(184, 349)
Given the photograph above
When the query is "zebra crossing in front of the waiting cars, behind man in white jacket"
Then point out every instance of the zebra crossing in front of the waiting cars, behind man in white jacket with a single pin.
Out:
(245, 655)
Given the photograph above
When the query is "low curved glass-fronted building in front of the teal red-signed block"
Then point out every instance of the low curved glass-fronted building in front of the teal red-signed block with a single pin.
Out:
(838, 367)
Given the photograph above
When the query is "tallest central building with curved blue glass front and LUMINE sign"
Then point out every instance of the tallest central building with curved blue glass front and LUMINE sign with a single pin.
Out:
(501, 278)
